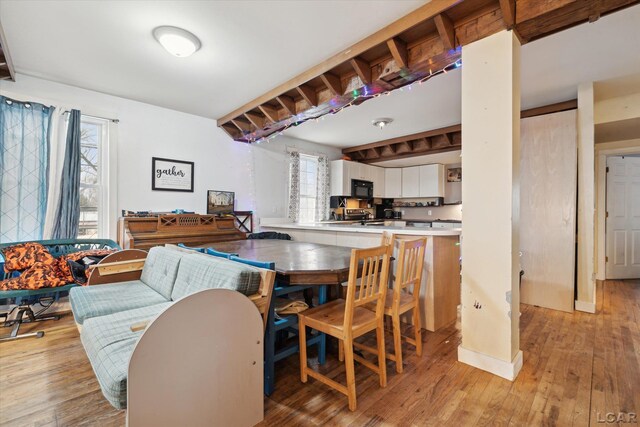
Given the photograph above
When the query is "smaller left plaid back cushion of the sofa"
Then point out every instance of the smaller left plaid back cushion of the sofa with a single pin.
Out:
(160, 269)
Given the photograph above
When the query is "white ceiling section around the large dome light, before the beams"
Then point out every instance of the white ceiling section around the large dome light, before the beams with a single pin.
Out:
(248, 47)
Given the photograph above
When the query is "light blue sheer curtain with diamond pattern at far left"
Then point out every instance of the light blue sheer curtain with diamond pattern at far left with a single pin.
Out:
(24, 163)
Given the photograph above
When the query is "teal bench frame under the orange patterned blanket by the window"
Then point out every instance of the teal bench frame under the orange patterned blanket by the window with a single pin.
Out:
(25, 298)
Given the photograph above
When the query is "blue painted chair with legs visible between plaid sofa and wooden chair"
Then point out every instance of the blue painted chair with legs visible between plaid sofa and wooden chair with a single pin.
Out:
(284, 323)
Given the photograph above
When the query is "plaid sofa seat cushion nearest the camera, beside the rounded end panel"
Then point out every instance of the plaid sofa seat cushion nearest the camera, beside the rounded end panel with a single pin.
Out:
(109, 343)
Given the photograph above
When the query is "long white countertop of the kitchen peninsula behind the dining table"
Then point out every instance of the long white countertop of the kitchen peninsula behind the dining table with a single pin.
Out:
(358, 228)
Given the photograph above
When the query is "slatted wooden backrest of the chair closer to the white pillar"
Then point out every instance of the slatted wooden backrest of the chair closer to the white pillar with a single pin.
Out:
(409, 270)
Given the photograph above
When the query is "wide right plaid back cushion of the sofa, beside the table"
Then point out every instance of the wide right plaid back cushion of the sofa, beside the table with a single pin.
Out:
(198, 272)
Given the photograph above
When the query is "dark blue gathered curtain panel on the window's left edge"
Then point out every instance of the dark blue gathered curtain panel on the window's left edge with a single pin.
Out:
(68, 213)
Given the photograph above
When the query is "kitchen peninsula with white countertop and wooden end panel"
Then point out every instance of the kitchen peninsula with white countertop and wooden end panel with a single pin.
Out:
(440, 291)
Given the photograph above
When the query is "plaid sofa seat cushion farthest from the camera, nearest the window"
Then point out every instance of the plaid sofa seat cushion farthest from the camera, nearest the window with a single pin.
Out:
(100, 300)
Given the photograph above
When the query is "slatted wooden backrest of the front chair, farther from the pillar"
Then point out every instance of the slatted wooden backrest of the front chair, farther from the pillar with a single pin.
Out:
(373, 264)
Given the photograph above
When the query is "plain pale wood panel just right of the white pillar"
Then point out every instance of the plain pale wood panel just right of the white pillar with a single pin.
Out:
(548, 186)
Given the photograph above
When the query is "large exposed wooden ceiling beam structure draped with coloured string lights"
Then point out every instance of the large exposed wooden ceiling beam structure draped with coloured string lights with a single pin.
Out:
(408, 50)
